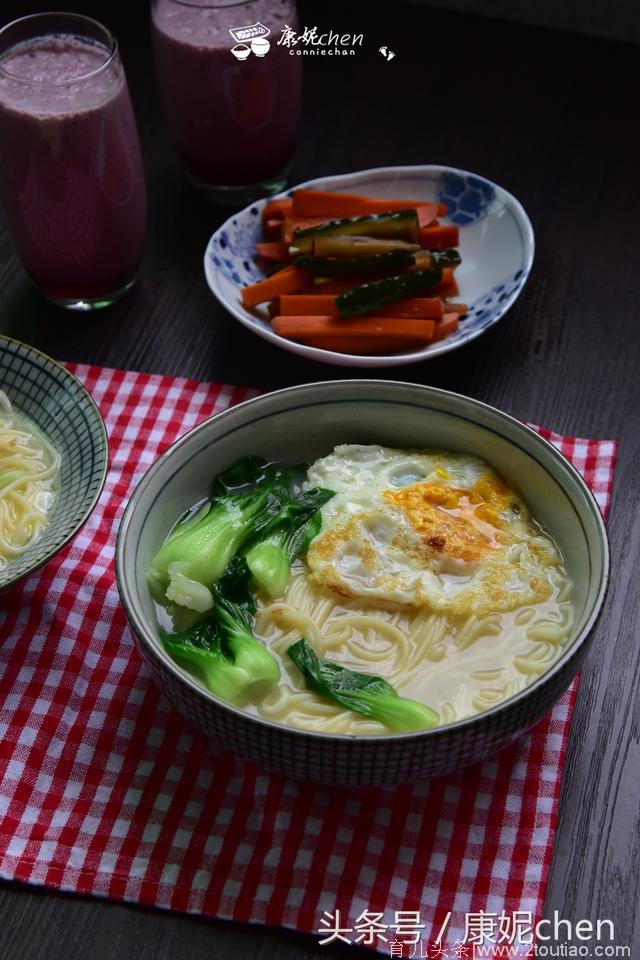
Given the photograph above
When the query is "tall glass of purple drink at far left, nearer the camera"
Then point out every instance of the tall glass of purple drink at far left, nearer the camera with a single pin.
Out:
(71, 177)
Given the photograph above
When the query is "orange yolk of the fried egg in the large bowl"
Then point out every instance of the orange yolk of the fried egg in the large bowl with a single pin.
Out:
(460, 524)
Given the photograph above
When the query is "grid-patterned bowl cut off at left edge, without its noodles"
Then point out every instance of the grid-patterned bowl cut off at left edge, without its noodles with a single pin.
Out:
(64, 411)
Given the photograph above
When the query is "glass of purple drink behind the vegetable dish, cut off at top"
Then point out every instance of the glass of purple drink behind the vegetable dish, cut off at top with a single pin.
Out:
(232, 106)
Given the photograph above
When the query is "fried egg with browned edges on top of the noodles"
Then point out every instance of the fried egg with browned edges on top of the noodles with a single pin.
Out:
(437, 530)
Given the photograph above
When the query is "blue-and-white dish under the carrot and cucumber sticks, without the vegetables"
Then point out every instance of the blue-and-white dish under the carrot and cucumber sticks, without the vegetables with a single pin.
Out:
(496, 245)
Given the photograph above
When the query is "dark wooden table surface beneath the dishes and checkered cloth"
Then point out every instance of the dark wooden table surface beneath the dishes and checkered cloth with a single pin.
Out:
(552, 117)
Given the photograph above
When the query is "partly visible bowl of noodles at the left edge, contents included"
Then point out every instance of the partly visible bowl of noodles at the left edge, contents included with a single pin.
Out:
(53, 458)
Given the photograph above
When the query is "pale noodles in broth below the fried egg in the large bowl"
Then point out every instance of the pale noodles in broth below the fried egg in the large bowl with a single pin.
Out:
(457, 665)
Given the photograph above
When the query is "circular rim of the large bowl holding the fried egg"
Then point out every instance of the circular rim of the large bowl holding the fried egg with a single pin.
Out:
(145, 633)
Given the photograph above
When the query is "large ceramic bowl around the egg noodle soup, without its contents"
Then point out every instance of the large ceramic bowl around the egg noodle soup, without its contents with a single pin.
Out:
(303, 423)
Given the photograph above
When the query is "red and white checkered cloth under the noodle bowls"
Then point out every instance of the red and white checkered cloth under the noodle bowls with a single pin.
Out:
(106, 790)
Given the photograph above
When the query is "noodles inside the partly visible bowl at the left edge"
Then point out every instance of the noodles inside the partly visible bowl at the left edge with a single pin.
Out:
(29, 467)
